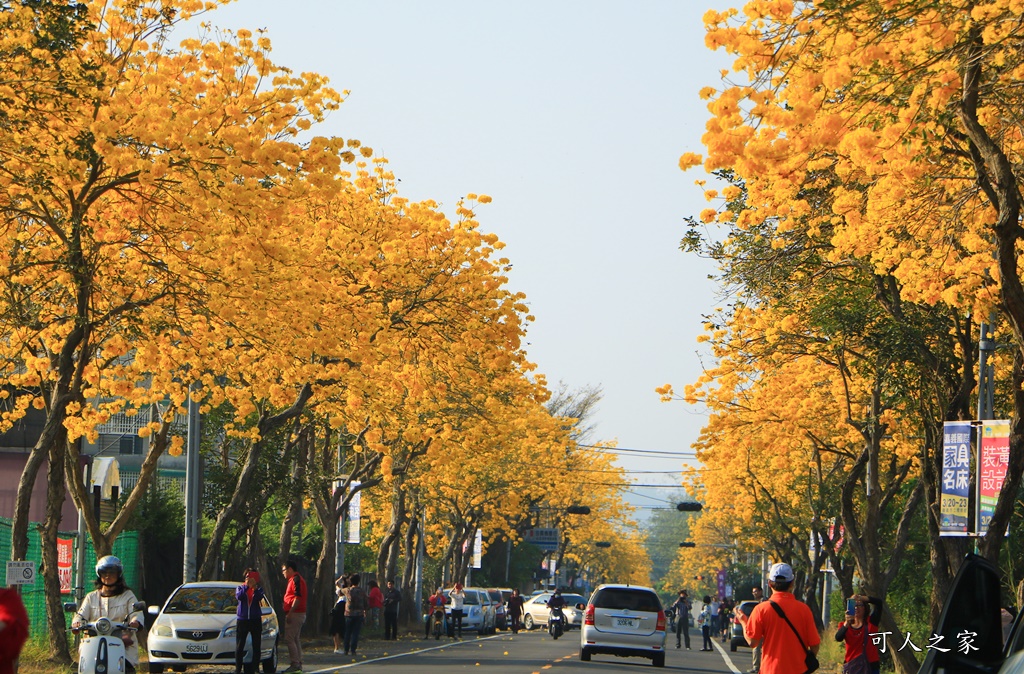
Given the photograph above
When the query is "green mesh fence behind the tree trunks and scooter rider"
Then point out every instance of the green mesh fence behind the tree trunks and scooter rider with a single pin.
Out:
(126, 549)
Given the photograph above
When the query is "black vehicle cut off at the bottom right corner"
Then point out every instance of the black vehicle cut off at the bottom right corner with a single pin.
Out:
(972, 611)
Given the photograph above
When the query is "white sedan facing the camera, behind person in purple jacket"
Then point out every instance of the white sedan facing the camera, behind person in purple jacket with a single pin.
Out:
(197, 627)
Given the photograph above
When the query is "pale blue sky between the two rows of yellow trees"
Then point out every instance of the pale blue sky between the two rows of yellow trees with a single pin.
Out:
(573, 117)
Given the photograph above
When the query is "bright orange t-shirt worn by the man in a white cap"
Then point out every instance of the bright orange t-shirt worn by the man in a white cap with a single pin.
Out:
(781, 653)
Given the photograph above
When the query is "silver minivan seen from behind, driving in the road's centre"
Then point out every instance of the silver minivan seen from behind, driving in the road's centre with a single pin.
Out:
(627, 621)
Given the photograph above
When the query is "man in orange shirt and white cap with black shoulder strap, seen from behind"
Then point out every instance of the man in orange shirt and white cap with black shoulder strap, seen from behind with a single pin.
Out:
(782, 653)
